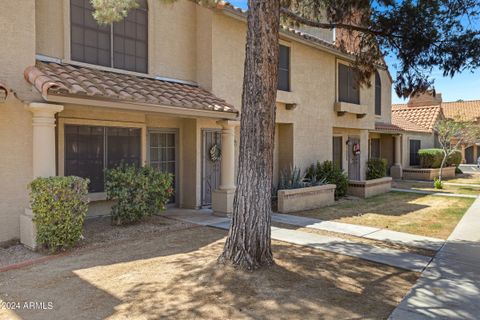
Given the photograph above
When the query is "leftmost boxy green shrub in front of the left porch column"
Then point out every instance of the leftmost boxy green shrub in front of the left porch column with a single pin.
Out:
(59, 206)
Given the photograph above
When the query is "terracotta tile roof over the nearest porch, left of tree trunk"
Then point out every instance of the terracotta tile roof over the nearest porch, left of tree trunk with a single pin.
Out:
(68, 80)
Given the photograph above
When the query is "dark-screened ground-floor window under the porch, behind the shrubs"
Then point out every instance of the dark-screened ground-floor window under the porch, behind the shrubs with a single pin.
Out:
(91, 149)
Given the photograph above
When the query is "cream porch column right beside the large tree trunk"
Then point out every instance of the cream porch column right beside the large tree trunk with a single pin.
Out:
(222, 198)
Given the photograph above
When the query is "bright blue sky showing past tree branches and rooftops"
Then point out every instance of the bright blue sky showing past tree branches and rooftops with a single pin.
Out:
(464, 86)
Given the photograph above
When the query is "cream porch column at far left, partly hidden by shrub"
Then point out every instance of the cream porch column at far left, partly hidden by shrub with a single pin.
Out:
(43, 122)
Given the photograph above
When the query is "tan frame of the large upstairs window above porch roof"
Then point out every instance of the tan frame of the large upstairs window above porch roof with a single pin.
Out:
(69, 43)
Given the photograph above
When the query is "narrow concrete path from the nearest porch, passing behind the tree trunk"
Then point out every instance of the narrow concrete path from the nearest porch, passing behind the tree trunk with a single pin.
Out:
(391, 257)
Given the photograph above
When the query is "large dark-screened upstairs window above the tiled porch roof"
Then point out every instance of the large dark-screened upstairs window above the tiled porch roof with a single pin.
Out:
(122, 45)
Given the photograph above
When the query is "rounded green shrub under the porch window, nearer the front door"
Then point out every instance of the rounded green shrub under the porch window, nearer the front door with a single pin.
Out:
(139, 192)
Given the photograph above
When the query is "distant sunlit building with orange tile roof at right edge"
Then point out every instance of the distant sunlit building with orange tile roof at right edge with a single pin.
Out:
(418, 117)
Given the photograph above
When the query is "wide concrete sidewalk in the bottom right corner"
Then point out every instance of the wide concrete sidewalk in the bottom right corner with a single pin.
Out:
(449, 288)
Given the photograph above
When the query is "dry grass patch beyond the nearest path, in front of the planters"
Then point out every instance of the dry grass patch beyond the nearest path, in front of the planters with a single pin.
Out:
(427, 215)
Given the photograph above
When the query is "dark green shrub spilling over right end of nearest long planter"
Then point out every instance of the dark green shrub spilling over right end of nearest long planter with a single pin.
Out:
(328, 172)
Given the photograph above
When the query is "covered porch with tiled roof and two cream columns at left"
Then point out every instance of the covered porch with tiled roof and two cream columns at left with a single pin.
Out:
(91, 120)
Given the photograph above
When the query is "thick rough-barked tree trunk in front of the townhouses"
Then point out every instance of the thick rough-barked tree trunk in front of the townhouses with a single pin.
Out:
(249, 242)
